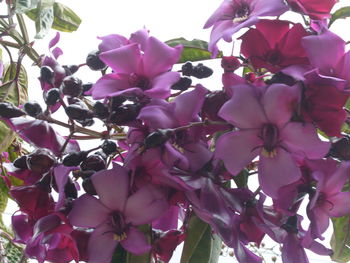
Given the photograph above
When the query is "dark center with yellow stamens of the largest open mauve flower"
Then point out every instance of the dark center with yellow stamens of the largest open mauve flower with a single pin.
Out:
(269, 135)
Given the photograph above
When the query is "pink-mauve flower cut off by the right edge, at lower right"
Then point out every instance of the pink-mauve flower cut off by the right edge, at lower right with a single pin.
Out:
(328, 200)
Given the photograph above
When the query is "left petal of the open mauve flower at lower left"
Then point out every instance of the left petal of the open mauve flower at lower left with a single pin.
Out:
(88, 211)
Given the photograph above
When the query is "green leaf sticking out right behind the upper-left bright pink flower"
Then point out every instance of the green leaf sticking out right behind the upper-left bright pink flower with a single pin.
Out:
(194, 50)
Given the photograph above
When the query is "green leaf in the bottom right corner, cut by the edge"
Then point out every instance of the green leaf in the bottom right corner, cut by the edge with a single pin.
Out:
(340, 241)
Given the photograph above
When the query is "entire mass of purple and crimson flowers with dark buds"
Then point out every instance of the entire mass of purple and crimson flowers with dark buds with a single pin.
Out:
(170, 149)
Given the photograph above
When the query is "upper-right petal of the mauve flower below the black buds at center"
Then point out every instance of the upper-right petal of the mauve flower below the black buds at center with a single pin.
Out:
(188, 105)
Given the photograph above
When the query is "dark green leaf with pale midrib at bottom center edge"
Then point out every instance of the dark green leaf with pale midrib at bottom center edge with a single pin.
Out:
(200, 244)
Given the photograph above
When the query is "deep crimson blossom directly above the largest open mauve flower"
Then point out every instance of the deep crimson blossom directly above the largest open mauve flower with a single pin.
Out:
(279, 45)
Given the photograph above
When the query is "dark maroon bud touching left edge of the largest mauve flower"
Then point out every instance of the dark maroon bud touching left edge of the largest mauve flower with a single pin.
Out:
(212, 104)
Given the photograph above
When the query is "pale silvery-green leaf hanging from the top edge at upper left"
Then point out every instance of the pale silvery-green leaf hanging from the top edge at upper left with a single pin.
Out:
(44, 19)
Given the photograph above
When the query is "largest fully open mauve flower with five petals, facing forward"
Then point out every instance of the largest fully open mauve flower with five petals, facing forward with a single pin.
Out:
(267, 133)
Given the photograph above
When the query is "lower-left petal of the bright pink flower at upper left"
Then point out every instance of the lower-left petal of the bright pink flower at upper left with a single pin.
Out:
(109, 85)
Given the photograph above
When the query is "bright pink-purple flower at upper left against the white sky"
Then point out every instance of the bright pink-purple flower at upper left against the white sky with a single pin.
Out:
(140, 68)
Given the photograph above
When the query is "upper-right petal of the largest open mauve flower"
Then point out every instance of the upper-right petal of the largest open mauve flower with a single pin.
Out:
(281, 97)
